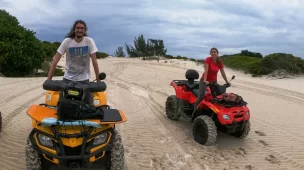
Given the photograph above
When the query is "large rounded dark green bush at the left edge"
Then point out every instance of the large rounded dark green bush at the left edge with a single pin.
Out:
(21, 53)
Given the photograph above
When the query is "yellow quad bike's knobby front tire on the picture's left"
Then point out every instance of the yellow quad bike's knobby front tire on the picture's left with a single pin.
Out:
(34, 160)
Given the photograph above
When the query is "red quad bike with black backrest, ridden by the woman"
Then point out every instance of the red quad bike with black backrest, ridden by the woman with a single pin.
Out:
(213, 113)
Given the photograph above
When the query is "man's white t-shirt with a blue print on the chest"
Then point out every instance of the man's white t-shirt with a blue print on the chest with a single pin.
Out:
(77, 67)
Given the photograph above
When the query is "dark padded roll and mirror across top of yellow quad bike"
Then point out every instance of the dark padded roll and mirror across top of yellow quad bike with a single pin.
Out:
(60, 85)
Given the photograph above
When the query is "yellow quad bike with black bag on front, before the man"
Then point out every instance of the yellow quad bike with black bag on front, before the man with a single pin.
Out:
(71, 134)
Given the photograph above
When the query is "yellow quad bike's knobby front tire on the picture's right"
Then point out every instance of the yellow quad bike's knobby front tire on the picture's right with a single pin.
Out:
(115, 159)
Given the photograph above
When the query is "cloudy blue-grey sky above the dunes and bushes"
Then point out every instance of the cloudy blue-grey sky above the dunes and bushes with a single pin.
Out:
(188, 27)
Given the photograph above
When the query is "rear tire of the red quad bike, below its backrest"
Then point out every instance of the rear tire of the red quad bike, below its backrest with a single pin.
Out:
(172, 104)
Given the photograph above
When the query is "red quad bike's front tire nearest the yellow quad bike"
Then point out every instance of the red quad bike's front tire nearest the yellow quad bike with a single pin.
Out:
(204, 130)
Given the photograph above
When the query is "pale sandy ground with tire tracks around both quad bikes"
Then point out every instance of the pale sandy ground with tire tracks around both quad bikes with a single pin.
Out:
(152, 141)
